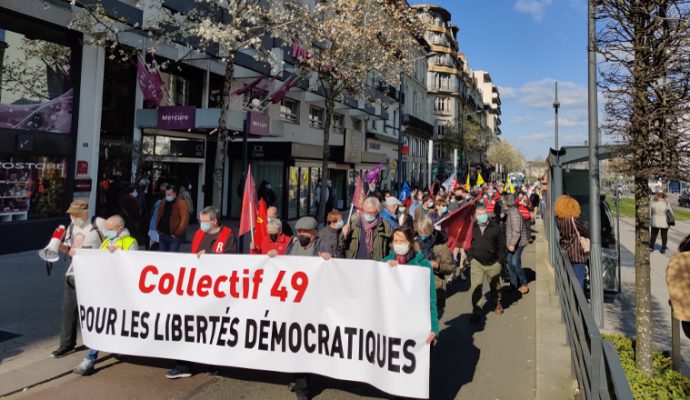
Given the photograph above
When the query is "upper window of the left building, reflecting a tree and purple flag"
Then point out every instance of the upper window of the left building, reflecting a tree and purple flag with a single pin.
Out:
(36, 90)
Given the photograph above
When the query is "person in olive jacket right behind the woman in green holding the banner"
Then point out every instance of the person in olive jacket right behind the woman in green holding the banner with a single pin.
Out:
(432, 244)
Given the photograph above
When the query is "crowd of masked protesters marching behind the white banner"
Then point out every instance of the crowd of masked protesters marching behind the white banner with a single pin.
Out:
(399, 231)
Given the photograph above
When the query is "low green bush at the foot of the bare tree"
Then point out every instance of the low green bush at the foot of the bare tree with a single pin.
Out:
(665, 384)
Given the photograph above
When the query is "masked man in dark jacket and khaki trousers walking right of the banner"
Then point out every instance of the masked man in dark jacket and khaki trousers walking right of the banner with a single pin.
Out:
(486, 254)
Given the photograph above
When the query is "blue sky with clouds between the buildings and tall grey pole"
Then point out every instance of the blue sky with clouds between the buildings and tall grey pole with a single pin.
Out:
(527, 45)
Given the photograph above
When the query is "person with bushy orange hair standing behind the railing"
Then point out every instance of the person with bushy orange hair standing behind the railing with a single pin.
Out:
(571, 229)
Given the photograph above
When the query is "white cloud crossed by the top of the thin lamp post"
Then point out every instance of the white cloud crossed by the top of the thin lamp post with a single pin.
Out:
(540, 94)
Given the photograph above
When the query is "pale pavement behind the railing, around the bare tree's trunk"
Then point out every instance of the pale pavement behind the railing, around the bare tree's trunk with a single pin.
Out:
(619, 309)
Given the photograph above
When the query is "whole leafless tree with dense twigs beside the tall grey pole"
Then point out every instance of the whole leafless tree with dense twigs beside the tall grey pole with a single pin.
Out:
(645, 70)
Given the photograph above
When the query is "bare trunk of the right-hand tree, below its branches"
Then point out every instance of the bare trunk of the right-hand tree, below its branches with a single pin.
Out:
(643, 298)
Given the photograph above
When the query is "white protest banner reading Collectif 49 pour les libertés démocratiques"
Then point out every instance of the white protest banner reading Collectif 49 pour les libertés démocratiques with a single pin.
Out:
(353, 320)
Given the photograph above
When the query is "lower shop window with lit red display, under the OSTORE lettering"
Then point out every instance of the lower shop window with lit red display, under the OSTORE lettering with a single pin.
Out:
(32, 187)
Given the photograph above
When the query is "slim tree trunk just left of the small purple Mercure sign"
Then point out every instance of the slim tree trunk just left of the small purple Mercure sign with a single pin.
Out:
(221, 148)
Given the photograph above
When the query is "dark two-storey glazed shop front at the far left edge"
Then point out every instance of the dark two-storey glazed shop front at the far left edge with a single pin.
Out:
(39, 71)
